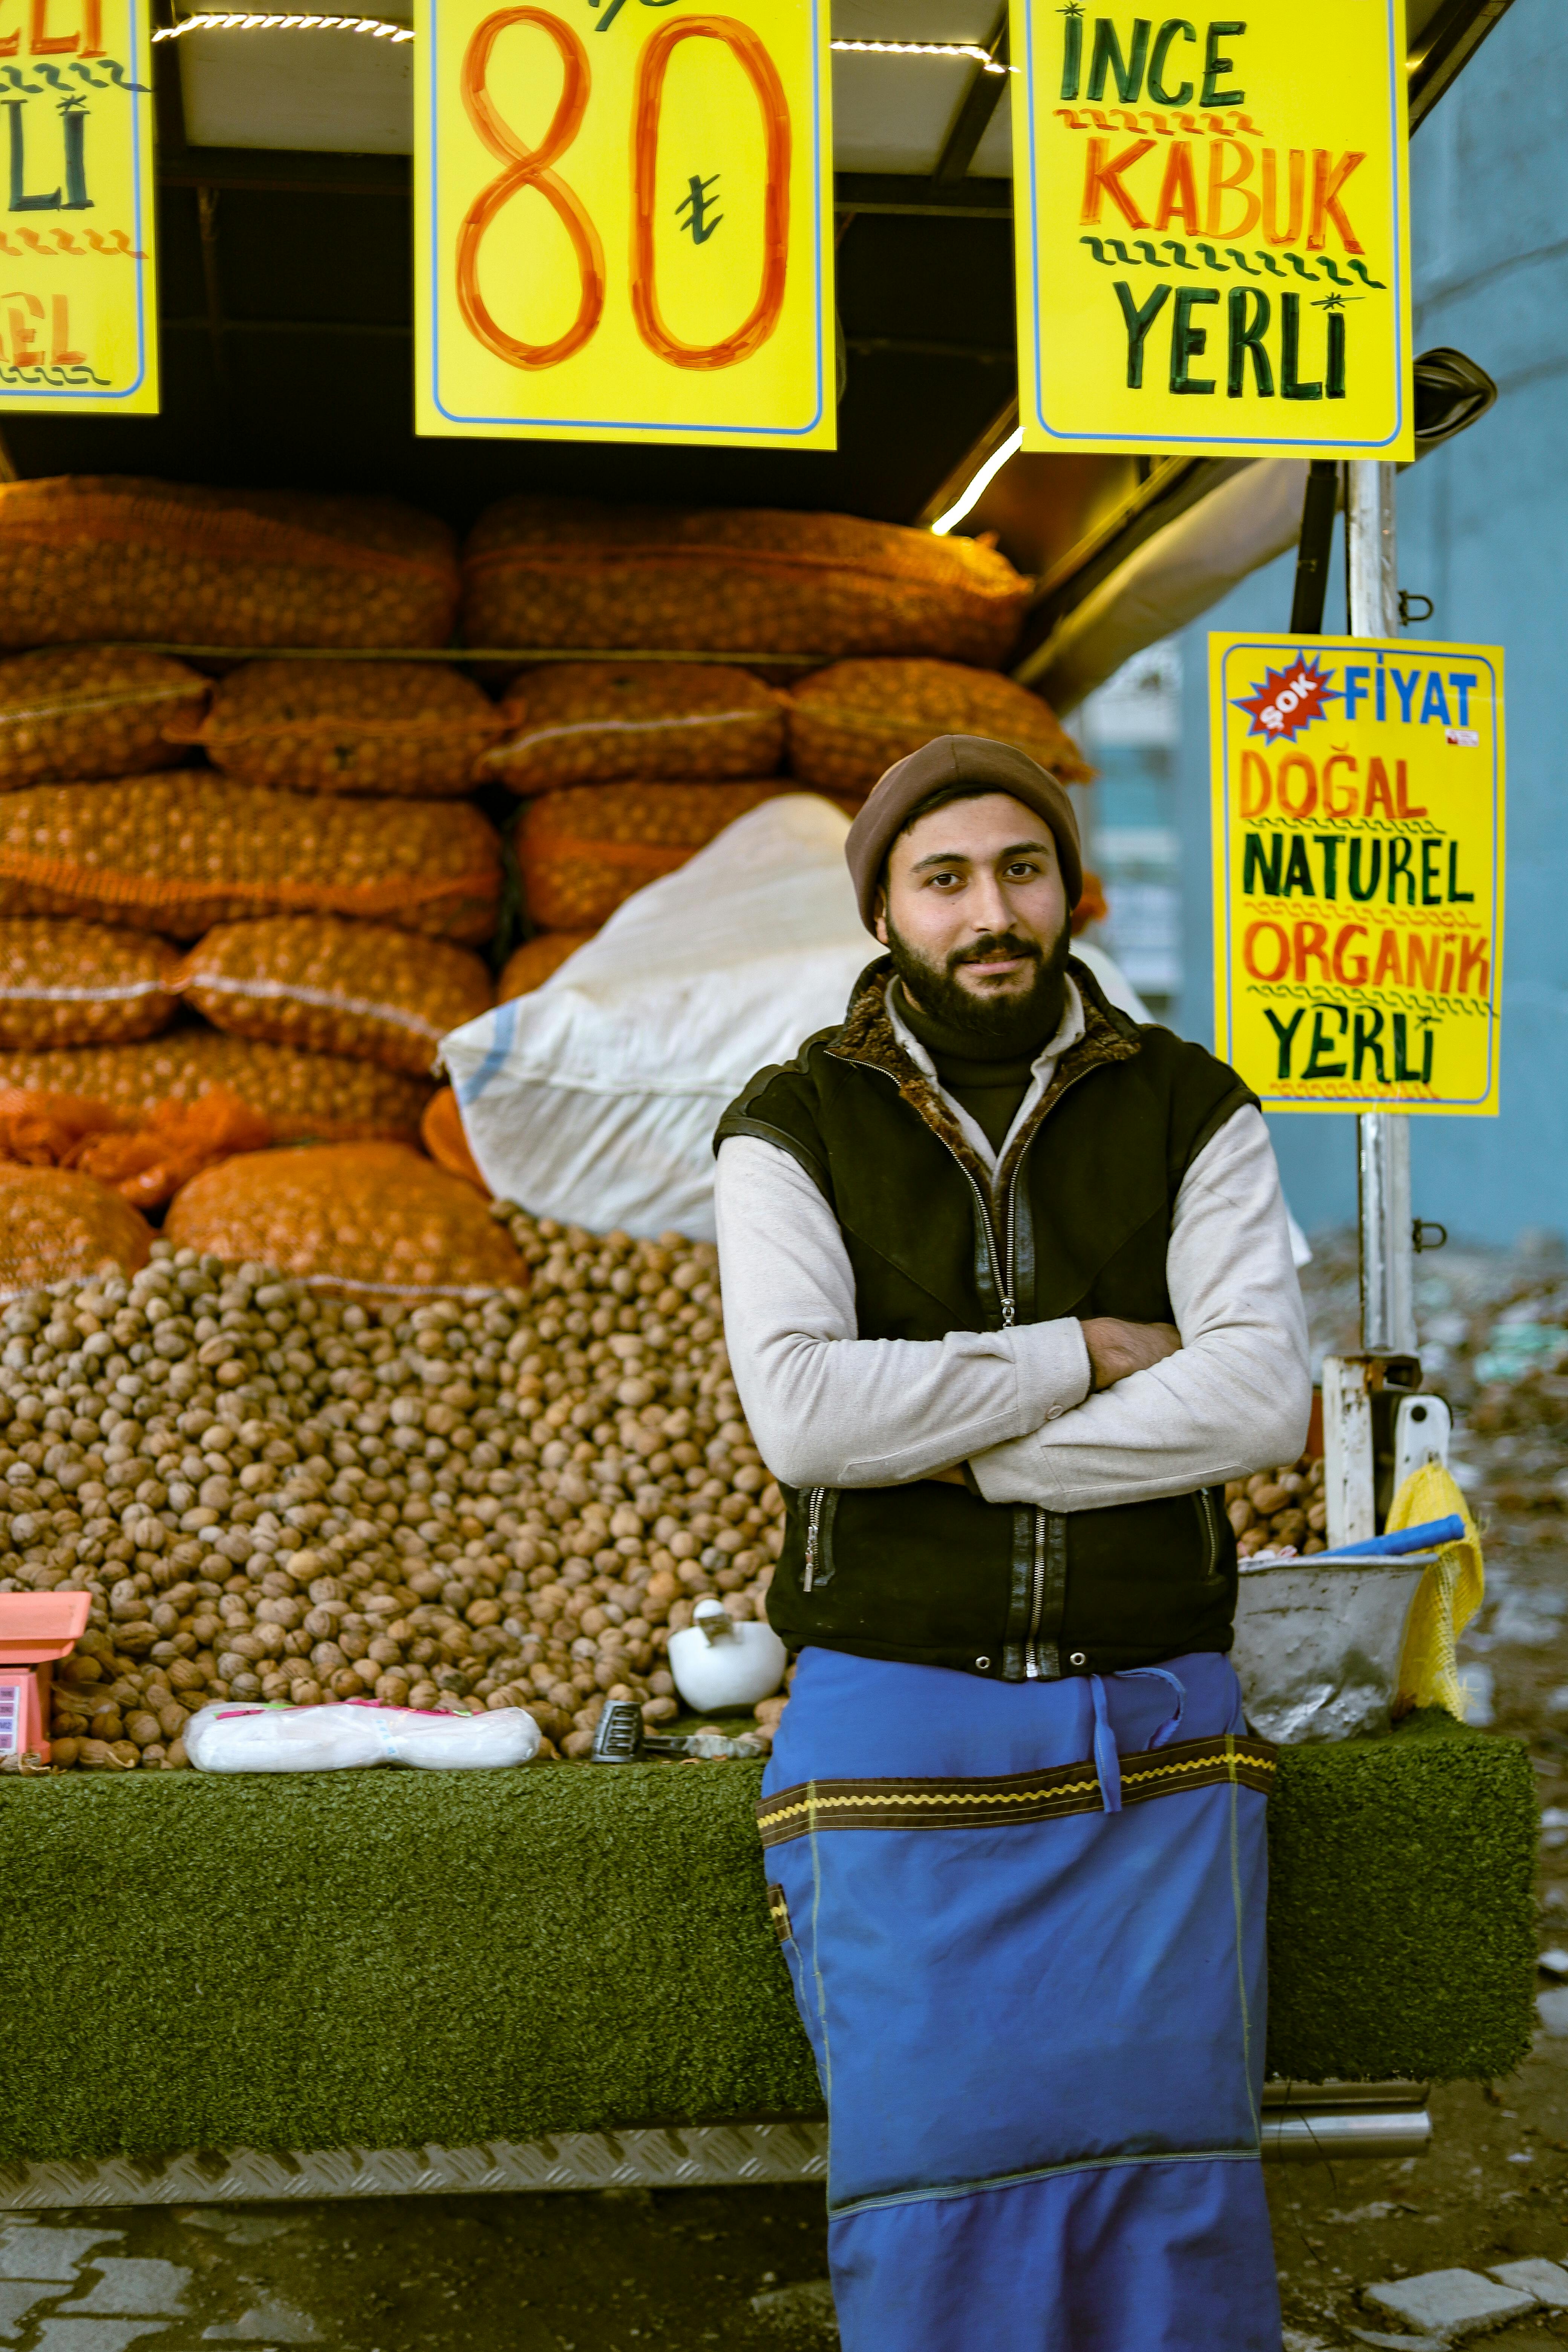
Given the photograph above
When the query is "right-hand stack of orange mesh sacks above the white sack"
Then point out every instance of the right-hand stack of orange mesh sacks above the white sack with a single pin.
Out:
(629, 768)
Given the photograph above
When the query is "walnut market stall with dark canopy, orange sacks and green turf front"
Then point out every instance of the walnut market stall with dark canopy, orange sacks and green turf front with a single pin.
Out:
(288, 1398)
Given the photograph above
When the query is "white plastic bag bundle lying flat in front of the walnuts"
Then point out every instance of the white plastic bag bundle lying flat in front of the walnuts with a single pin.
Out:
(356, 1732)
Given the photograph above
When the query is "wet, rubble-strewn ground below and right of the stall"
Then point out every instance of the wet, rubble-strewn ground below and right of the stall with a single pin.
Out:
(742, 2269)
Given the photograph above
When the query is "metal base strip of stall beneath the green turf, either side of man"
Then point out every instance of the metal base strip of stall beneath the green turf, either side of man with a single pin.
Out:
(1299, 2123)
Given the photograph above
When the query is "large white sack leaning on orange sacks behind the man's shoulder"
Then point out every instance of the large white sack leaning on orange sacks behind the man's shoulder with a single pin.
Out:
(596, 1097)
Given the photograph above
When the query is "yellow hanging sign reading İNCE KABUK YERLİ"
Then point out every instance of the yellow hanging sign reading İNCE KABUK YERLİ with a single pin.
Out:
(1212, 229)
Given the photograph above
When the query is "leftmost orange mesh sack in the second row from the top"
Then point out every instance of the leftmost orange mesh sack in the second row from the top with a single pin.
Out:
(93, 711)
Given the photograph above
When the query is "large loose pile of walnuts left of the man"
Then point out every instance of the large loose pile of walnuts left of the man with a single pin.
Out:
(274, 1495)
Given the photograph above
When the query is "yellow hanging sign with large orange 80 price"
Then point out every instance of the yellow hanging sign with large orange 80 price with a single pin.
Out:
(624, 222)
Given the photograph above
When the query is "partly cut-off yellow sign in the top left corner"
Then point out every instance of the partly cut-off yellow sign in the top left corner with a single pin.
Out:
(79, 298)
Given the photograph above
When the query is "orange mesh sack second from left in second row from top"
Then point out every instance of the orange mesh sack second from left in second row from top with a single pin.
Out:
(406, 728)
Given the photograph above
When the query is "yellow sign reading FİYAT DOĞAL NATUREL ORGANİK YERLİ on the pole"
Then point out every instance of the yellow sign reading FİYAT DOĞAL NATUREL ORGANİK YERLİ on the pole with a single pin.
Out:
(1358, 871)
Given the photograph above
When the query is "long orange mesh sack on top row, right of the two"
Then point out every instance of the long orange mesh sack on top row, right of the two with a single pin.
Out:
(732, 582)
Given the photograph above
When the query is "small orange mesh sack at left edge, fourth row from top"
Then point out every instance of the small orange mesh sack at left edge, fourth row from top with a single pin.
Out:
(81, 982)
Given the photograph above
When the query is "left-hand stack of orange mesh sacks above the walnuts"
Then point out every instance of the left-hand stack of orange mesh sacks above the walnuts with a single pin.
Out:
(293, 935)
